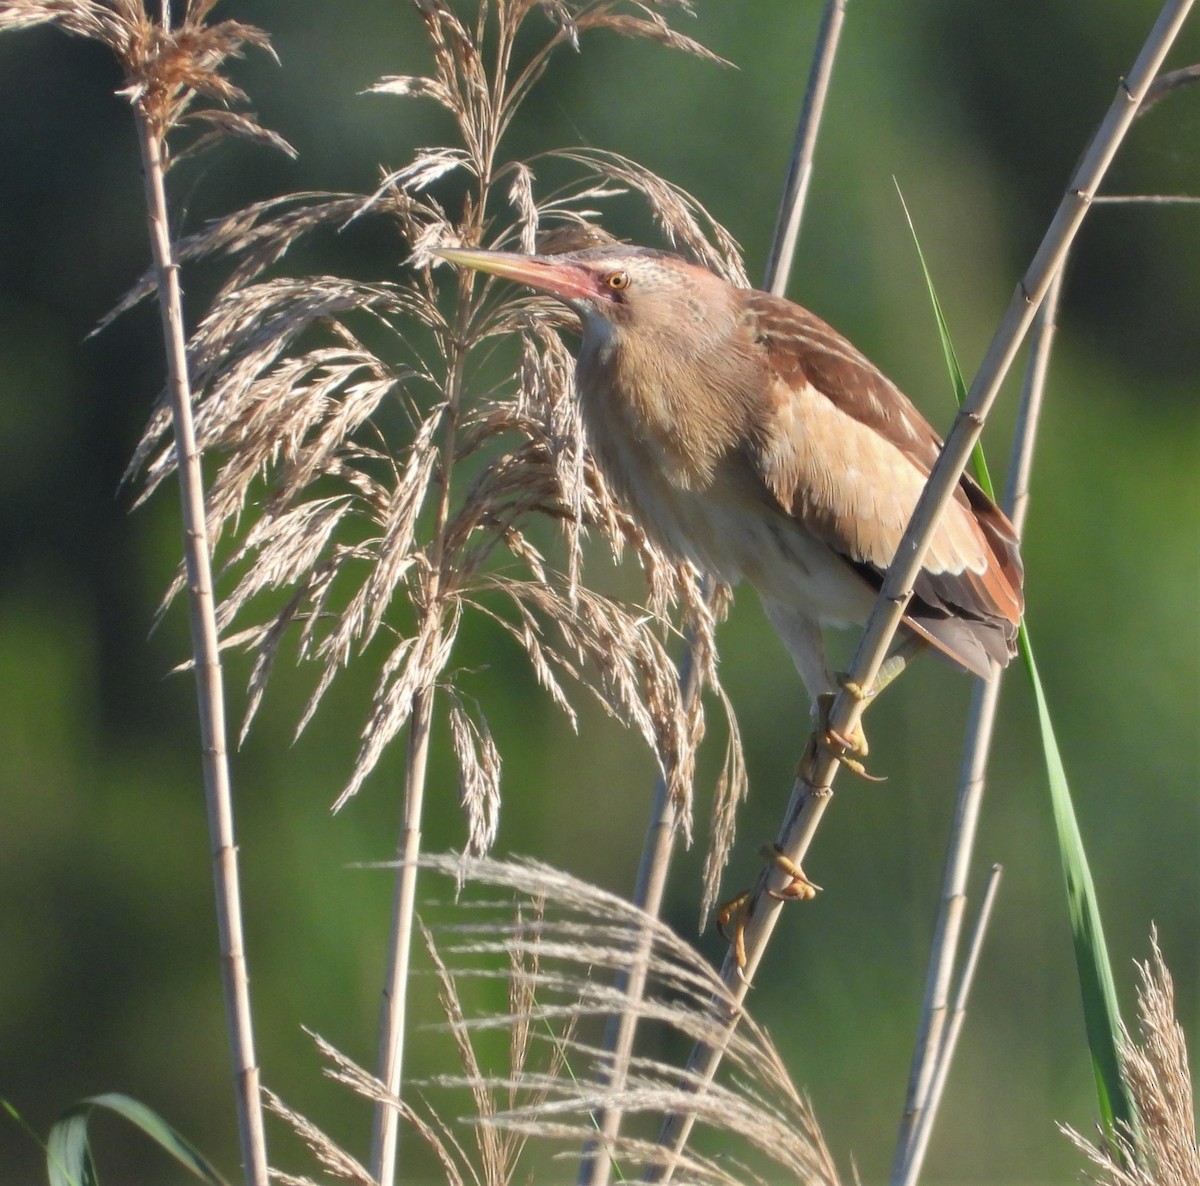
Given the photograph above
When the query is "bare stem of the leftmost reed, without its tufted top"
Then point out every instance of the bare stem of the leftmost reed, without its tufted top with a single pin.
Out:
(207, 655)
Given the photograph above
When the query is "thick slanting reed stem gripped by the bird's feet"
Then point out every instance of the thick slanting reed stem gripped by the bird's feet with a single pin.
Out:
(812, 795)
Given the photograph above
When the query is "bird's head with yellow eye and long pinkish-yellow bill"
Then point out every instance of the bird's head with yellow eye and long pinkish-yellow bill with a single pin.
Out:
(623, 295)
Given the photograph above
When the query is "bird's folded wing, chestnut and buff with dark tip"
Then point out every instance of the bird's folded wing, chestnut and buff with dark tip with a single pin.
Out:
(848, 454)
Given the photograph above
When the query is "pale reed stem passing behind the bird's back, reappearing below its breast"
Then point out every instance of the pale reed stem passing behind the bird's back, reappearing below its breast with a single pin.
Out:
(664, 823)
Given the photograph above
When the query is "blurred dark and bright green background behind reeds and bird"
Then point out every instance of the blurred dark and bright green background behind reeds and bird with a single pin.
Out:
(109, 978)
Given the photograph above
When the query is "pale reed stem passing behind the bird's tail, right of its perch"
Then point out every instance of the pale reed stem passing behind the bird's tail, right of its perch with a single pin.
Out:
(928, 1056)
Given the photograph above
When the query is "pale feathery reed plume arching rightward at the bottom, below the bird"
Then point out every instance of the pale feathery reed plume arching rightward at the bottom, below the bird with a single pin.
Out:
(556, 953)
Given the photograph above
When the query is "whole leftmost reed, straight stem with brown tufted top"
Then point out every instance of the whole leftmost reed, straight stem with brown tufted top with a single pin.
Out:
(173, 77)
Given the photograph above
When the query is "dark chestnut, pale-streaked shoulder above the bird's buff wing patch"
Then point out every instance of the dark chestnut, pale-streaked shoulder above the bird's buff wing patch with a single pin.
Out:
(802, 351)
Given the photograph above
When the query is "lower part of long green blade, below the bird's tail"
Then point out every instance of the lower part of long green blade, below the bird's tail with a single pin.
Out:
(1102, 1019)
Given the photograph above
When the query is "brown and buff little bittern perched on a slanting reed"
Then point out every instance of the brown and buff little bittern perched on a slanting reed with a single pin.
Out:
(746, 435)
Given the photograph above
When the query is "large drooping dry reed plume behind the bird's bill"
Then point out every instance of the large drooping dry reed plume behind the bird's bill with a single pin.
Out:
(386, 498)
